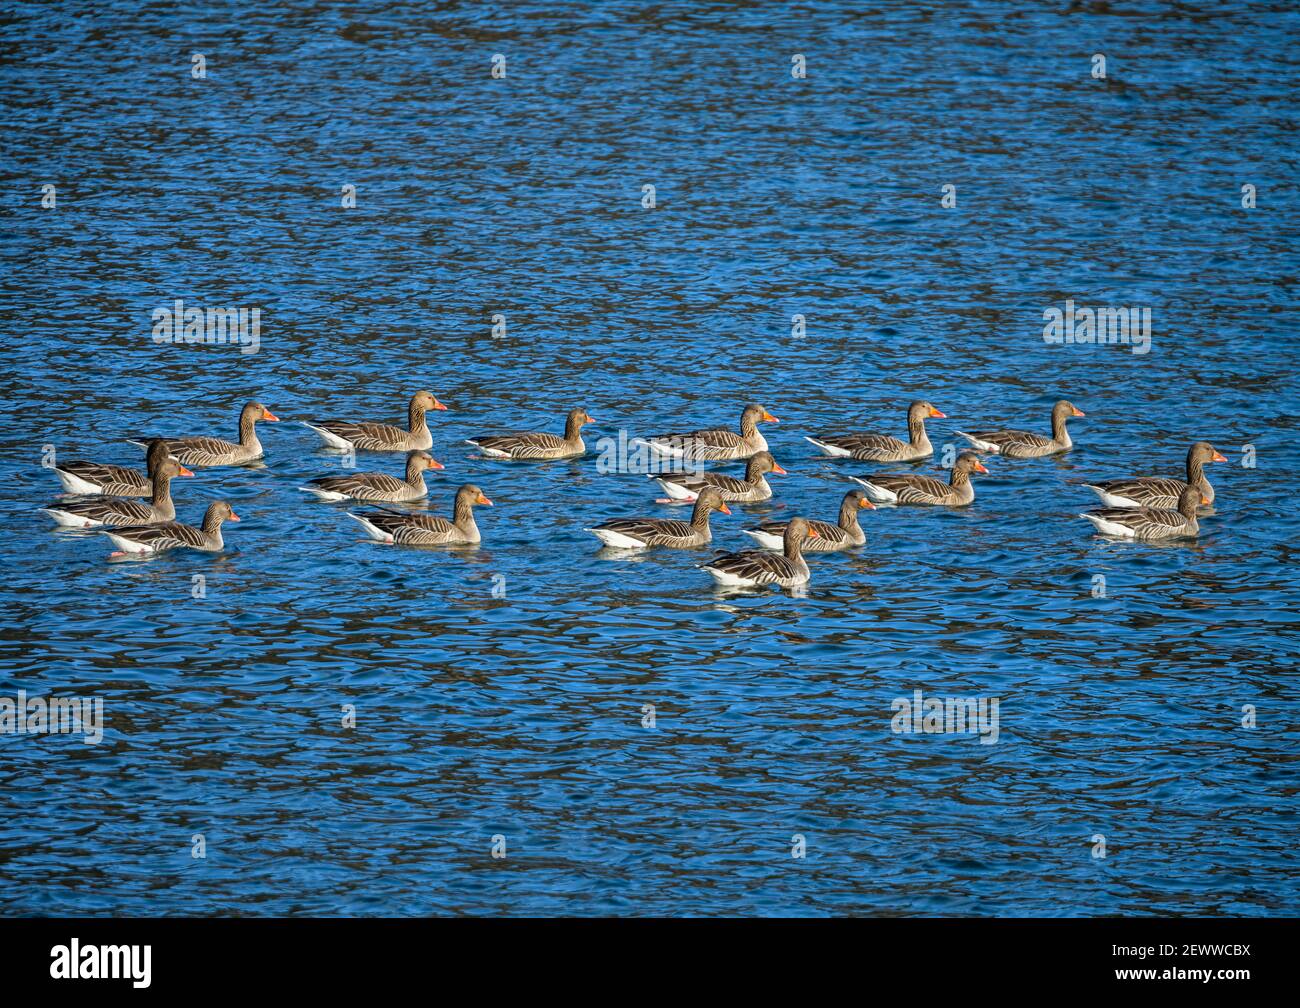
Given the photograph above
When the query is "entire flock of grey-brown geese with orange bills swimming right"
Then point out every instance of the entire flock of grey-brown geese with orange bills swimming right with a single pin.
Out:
(1145, 508)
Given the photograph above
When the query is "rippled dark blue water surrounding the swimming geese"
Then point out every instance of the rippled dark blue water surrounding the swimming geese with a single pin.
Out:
(482, 715)
